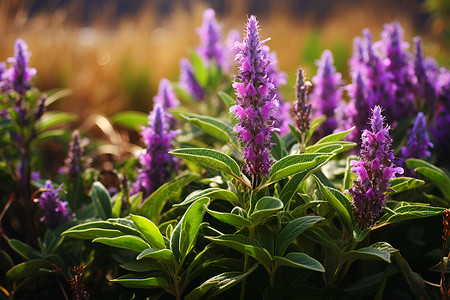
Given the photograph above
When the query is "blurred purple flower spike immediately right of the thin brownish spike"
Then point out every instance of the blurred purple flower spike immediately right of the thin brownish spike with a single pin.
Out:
(326, 94)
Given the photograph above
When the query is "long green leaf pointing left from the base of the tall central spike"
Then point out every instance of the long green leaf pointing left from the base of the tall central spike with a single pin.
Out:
(209, 158)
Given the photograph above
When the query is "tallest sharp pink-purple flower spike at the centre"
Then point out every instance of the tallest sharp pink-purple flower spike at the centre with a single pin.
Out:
(256, 102)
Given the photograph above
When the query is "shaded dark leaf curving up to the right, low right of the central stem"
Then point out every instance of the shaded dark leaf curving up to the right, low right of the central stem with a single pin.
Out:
(292, 230)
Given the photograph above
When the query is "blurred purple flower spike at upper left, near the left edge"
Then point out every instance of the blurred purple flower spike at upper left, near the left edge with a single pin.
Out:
(19, 74)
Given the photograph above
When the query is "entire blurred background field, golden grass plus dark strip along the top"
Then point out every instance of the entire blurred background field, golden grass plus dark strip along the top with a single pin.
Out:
(112, 54)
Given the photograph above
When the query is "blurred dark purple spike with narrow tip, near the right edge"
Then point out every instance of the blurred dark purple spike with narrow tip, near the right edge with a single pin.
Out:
(425, 85)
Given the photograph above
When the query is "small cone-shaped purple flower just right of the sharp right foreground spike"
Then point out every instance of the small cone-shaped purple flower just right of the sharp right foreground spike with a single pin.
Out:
(418, 142)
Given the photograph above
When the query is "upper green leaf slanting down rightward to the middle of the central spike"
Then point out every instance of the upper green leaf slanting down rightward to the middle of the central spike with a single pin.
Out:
(212, 126)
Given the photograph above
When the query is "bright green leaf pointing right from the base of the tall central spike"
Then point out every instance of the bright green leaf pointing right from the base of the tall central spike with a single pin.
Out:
(294, 164)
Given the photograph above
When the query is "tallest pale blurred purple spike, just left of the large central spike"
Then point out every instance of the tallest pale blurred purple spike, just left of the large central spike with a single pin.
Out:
(211, 39)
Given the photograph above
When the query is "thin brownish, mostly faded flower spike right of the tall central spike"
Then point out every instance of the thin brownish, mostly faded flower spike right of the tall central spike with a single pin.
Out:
(301, 108)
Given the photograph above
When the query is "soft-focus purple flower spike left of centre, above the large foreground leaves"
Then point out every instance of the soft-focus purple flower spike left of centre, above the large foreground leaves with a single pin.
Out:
(157, 164)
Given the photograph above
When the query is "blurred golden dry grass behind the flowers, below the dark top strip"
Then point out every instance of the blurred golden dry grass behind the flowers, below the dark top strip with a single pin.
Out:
(114, 65)
